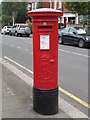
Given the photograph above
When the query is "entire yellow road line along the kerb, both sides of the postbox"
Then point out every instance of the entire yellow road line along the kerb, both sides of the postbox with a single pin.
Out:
(61, 89)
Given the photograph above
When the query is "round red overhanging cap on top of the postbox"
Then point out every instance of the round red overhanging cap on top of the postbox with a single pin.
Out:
(45, 12)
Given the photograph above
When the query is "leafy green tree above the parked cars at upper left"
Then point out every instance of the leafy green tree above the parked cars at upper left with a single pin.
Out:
(16, 10)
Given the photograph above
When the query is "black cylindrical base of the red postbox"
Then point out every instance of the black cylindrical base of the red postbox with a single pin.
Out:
(45, 101)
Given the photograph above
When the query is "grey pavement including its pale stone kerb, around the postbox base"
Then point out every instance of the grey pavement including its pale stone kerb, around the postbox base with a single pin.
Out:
(17, 101)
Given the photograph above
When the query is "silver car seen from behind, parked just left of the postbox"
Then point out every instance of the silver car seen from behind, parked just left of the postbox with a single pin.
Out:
(20, 29)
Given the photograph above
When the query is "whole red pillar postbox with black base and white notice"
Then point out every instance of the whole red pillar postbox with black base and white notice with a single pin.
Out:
(45, 60)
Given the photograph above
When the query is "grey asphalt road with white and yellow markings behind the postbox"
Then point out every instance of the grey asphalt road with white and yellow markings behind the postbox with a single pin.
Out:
(72, 66)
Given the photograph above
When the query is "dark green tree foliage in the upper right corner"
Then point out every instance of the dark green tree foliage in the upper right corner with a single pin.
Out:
(82, 8)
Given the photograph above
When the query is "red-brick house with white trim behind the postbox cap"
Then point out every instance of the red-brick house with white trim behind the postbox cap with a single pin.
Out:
(66, 19)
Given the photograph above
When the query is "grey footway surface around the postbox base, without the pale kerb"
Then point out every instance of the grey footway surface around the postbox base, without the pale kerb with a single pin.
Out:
(18, 102)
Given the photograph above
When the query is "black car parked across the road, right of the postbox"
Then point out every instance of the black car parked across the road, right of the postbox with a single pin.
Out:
(71, 35)
